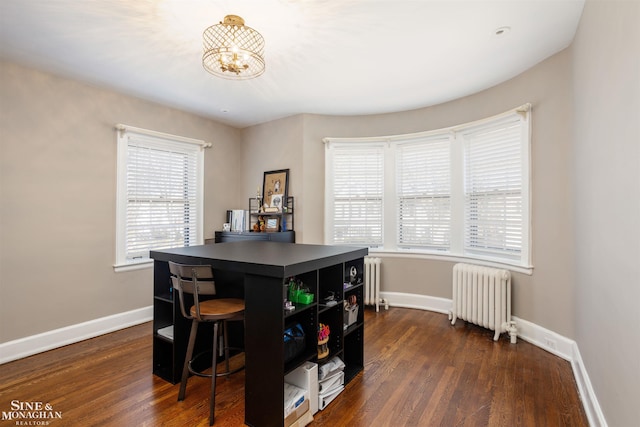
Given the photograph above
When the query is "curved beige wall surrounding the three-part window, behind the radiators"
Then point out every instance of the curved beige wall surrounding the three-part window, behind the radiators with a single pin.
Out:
(546, 297)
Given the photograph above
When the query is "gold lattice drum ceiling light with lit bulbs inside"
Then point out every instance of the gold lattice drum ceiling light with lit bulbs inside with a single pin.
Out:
(233, 50)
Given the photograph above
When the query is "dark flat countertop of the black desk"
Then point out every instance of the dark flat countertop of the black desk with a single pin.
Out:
(274, 259)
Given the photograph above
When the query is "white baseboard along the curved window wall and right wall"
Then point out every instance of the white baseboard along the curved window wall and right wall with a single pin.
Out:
(547, 340)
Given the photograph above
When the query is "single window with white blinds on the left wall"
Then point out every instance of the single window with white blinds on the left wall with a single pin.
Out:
(160, 194)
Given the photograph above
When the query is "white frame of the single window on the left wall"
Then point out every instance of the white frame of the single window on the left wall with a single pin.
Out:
(129, 135)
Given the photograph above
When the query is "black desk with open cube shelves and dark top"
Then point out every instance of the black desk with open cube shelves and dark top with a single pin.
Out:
(261, 270)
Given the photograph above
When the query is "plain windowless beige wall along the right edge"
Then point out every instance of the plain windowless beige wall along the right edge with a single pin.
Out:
(606, 81)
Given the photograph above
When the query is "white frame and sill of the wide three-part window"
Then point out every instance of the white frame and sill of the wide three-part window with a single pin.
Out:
(458, 250)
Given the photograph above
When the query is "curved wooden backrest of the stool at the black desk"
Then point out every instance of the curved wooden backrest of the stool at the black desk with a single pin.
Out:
(192, 279)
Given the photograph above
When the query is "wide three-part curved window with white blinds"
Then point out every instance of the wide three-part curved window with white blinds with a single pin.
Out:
(460, 192)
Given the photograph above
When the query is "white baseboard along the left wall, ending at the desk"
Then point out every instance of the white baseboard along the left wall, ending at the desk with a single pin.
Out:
(23, 347)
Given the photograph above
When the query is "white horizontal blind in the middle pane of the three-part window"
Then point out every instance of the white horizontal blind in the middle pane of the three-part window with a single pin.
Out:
(424, 194)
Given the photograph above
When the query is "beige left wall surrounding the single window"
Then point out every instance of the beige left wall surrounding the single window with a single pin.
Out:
(57, 198)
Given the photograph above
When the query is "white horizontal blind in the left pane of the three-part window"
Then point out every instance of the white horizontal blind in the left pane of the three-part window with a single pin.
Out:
(356, 188)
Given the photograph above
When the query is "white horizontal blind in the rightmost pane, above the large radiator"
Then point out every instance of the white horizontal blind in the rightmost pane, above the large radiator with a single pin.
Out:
(494, 217)
